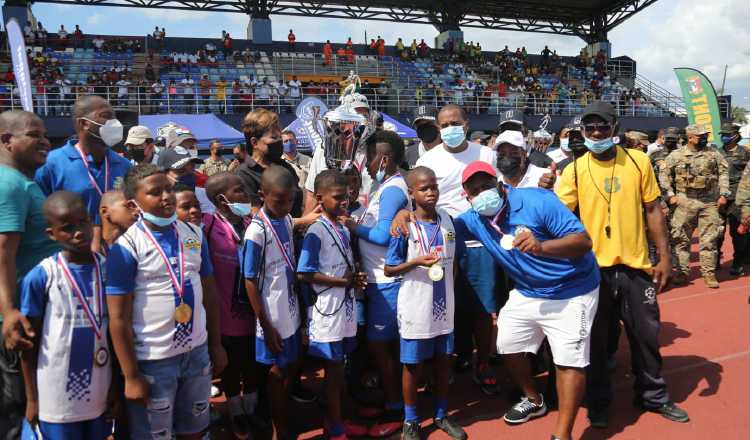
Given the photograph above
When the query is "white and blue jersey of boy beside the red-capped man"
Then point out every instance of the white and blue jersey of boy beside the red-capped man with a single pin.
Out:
(425, 308)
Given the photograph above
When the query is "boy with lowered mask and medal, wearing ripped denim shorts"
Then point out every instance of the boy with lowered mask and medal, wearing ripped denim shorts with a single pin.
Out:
(164, 316)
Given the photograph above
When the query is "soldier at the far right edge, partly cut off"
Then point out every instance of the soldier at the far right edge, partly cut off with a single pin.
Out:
(737, 158)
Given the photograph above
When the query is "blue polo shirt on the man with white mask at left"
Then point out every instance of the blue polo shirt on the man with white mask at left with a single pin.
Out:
(65, 170)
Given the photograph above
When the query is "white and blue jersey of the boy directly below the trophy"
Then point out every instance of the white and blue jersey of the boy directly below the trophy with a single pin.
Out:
(333, 315)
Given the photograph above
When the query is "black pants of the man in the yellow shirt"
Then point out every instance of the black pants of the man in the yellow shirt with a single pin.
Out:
(628, 295)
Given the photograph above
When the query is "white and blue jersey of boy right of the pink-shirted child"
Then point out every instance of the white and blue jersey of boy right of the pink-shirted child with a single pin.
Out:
(263, 260)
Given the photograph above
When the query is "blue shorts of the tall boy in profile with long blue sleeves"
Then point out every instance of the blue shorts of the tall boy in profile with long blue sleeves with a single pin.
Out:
(382, 300)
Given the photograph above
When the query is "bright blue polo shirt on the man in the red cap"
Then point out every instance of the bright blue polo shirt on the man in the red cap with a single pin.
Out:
(540, 211)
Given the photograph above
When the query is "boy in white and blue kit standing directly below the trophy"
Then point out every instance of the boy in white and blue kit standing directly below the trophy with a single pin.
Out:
(327, 264)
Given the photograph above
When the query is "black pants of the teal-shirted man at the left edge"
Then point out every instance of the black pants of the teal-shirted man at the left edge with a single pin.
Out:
(12, 393)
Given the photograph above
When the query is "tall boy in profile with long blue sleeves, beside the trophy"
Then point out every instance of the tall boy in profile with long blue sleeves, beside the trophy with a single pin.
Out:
(385, 151)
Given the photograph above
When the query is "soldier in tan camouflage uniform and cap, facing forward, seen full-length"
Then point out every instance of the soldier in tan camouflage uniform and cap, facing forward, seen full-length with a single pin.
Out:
(696, 182)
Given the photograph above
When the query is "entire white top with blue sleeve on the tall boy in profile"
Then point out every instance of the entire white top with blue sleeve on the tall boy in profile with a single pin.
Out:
(374, 228)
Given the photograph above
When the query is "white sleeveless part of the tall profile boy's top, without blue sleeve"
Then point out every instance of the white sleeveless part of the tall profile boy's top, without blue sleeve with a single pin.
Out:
(373, 255)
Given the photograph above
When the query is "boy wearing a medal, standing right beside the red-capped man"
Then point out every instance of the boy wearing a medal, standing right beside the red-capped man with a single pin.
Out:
(426, 304)
